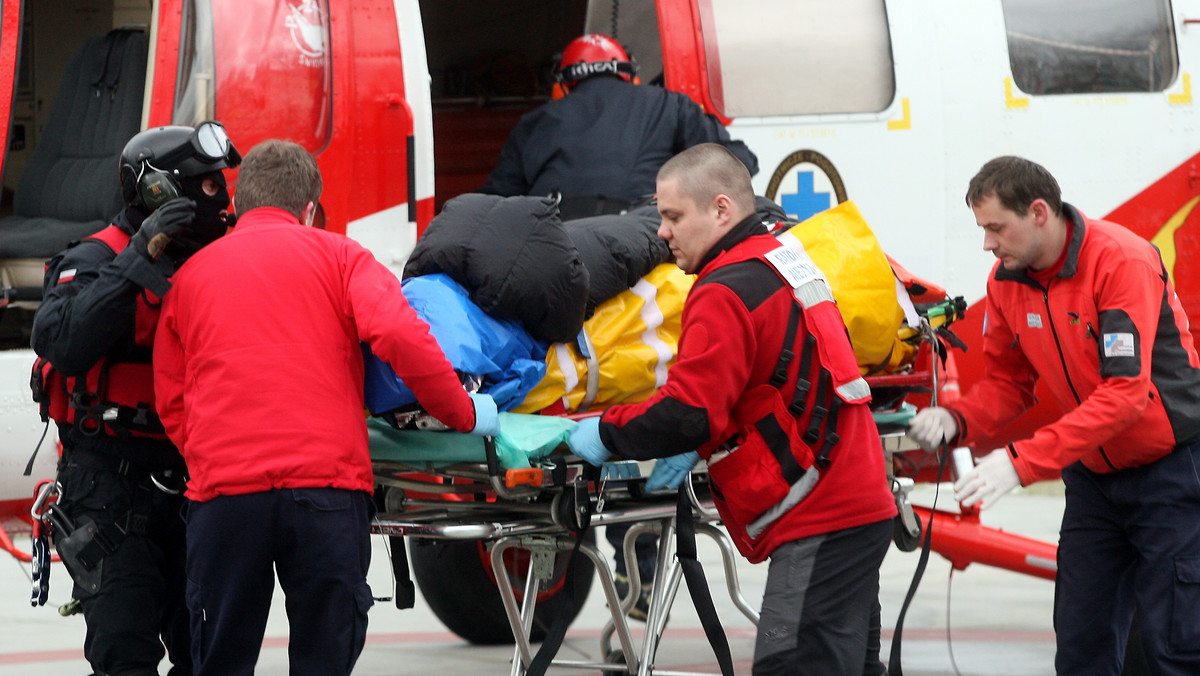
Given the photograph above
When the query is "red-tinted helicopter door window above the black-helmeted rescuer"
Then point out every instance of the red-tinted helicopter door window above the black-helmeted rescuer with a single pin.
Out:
(262, 69)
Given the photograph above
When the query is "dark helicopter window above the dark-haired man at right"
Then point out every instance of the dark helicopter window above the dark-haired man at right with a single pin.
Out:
(1091, 46)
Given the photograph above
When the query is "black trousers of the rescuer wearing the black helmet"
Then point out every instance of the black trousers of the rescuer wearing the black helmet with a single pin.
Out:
(137, 614)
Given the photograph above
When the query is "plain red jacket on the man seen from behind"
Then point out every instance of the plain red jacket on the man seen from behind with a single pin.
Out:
(259, 370)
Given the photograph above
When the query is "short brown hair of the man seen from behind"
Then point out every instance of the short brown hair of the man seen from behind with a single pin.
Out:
(278, 174)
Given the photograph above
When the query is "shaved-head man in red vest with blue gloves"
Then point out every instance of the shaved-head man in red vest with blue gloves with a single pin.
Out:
(793, 450)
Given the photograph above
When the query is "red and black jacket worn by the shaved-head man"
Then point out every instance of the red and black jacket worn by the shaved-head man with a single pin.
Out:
(734, 327)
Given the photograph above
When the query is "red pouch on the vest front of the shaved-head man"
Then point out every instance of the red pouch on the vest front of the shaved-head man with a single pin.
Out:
(770, 458)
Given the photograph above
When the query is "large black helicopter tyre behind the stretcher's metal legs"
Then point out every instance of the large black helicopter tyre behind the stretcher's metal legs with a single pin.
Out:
(457, 582)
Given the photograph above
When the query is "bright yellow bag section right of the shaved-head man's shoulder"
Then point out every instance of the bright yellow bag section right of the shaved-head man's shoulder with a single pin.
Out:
(843, 246)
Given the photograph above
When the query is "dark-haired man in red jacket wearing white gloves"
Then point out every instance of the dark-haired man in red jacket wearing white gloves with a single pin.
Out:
(1088, 308)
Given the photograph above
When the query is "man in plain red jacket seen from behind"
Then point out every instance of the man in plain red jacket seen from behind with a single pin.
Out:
(259, 376)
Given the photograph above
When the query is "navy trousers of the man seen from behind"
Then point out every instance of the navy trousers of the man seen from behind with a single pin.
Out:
(319, 541)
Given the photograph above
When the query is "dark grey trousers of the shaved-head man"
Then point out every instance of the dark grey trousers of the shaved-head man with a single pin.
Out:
(821, 607)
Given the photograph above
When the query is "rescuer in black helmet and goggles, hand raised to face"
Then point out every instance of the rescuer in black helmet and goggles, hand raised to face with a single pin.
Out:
(117, 523)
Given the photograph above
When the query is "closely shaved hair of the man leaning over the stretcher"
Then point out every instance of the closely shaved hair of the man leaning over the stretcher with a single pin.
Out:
(709, 170)
